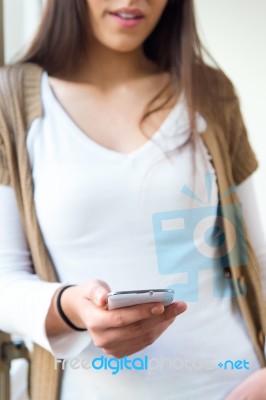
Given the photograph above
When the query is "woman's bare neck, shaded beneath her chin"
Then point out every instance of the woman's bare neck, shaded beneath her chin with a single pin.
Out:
(108, 68)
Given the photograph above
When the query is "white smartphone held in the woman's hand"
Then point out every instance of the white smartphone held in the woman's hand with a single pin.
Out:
(133, 297)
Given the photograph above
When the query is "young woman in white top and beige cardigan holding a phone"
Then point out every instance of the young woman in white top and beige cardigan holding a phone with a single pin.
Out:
(123, 158)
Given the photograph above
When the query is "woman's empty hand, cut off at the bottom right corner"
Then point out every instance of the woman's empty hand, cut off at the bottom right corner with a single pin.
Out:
(253, 388)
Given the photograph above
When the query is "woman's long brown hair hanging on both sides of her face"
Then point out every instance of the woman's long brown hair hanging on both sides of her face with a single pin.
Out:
(174, 45)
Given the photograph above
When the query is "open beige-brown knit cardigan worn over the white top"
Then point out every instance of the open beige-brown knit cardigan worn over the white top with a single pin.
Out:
(233, 159)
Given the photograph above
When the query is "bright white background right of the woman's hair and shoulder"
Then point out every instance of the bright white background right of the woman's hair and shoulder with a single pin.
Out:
(234, 31)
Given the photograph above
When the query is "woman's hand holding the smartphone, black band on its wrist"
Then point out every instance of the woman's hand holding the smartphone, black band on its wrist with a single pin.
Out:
(118, 332)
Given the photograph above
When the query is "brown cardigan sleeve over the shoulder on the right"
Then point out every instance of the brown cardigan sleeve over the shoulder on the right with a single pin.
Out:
(218, 101)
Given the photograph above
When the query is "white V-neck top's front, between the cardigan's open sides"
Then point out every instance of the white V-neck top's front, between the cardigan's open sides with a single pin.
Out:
(110, 216)
